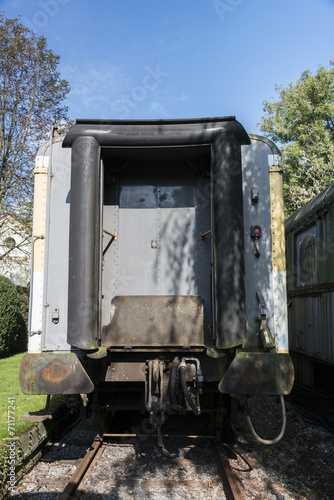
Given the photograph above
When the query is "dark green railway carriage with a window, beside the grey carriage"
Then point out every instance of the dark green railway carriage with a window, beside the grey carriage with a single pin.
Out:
(310, 272)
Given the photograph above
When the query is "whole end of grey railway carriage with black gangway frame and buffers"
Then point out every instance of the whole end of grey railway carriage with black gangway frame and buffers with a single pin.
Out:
(158, 269)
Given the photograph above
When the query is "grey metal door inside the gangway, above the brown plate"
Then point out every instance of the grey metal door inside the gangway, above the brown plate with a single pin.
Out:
(157, 241)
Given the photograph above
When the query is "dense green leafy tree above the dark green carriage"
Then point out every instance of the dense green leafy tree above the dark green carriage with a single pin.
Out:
(302, 123)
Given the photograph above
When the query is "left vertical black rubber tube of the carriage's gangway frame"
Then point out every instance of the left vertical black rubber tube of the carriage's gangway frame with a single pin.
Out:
(84, 252)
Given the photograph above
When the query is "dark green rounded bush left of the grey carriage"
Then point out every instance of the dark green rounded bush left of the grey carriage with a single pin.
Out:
(13, 330)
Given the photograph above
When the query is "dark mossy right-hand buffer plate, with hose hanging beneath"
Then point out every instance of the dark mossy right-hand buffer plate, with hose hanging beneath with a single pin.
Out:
(258, 373)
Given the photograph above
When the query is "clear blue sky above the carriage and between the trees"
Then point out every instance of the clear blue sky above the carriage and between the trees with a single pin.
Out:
(180, 59)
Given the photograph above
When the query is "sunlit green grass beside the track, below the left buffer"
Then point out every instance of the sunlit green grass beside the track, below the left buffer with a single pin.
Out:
(10, 388)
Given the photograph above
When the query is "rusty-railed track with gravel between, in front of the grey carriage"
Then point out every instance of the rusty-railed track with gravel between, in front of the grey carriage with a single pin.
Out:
(90, 469)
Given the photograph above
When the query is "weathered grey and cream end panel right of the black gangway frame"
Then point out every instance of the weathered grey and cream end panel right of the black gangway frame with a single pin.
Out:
(265, 273)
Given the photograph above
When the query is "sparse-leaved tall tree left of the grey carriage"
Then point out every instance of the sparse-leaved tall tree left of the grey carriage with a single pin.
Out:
(31, 97)
